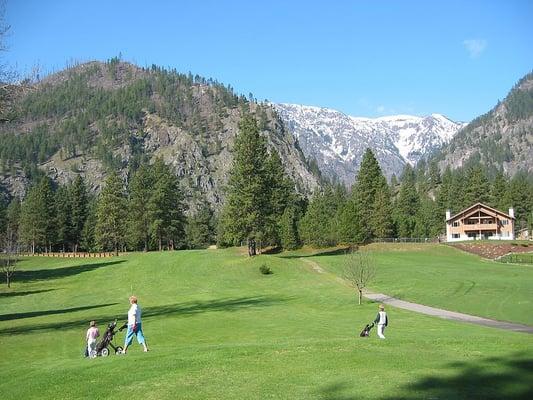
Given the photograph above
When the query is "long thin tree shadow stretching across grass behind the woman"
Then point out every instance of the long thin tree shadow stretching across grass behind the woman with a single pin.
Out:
(183, 309)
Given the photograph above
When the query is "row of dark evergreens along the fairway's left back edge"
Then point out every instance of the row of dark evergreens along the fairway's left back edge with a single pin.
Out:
(146, 213)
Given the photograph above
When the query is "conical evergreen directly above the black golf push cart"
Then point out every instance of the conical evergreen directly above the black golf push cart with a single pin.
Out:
(111, 214)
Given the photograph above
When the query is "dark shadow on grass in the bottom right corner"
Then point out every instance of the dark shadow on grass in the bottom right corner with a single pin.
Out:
(494, 378)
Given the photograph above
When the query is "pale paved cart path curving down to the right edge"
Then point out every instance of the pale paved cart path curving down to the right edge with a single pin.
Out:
(436, 312)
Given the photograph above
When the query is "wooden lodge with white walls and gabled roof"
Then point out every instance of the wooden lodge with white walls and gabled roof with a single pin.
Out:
(480, 222)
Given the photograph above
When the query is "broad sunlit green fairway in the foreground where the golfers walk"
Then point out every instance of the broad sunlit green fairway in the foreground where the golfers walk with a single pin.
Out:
(218, 329)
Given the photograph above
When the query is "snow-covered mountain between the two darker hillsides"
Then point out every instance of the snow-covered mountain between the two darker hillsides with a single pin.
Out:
(337, 141)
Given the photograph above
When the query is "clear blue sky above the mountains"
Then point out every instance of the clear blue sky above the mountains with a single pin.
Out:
(365, 58)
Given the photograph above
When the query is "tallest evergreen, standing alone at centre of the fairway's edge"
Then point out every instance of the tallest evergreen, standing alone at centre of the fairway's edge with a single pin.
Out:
(246, 212)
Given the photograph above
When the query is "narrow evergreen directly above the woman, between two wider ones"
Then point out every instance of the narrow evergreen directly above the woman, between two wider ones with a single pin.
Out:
(139, 216)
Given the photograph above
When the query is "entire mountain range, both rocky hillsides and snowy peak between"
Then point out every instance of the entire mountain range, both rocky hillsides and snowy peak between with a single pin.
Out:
(98, 116)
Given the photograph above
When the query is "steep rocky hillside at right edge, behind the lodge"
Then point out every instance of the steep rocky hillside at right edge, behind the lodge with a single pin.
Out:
(499, 139)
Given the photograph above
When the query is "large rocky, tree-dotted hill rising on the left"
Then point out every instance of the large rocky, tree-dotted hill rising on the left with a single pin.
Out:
(96, 116)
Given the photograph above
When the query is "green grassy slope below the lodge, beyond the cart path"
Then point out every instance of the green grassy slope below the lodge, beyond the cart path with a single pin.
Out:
(441, 276)
